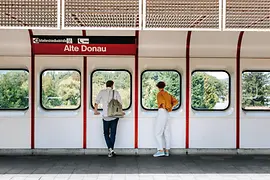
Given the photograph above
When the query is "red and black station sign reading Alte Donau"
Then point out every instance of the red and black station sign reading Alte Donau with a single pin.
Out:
(84, 45)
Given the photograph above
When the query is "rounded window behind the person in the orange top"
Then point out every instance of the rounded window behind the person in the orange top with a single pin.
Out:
(149, 79)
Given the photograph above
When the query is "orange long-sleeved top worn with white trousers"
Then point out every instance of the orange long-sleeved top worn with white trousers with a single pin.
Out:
(166, 101)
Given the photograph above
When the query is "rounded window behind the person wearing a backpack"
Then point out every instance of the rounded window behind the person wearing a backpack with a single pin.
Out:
(122, 83)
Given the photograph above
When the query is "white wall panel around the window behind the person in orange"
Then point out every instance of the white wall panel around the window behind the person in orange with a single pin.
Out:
(147, 118)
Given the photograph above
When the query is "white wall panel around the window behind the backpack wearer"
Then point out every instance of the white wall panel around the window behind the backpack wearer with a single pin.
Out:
(125, 130)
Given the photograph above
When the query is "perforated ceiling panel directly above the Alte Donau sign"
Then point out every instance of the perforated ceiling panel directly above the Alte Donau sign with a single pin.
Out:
(101, 14)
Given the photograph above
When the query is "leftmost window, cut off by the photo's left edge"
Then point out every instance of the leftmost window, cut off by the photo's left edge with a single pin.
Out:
(14, 89)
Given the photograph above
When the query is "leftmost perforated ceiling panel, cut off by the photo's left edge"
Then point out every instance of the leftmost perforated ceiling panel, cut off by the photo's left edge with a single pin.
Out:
(32, 14)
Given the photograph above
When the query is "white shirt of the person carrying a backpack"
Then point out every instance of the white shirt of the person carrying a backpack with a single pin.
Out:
(104, 97)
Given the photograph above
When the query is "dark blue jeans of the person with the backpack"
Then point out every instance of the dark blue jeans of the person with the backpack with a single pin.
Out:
(109, 129)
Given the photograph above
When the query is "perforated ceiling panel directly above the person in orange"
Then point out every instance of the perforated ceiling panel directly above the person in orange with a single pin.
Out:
(182, 14)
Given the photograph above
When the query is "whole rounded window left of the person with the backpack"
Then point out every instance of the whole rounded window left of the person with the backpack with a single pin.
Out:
(61, 89)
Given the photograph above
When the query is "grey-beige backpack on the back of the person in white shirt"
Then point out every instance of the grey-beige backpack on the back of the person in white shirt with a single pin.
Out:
(114, 108)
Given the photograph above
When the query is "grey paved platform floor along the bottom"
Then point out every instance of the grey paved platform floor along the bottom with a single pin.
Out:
(175, 167)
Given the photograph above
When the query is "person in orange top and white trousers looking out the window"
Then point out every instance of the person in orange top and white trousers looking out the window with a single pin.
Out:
(166, 102)
